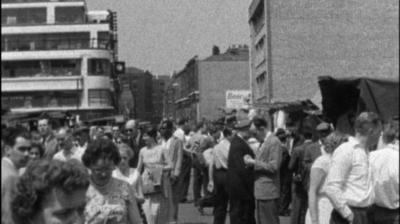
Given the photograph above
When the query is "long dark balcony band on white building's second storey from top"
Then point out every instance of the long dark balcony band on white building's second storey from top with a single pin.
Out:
(55, 44)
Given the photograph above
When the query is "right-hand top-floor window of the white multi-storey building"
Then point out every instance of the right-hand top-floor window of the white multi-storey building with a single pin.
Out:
(70, 14)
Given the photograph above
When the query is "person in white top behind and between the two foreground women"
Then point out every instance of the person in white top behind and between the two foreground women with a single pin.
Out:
(67, 150)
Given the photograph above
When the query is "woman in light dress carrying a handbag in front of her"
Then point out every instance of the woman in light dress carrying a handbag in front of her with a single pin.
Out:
(152, 161)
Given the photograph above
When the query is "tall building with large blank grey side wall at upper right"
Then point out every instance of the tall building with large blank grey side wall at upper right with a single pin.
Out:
(294, 42)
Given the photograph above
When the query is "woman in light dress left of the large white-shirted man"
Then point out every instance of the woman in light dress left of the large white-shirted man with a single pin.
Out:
(320, 207)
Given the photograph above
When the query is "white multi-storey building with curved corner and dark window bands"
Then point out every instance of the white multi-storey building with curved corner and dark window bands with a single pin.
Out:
(56, 56)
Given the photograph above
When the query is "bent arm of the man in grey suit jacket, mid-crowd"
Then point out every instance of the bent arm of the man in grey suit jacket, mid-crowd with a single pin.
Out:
(270, 164)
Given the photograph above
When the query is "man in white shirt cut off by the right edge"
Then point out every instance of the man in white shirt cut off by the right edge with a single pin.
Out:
(385, 168)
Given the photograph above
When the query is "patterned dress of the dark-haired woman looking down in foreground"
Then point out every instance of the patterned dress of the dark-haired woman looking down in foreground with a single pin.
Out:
(108, 204)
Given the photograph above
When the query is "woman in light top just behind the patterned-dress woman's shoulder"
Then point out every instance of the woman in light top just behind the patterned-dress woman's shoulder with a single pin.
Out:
(130, 175)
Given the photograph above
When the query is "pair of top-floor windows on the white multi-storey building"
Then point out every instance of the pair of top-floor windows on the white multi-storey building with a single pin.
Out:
(33, 16)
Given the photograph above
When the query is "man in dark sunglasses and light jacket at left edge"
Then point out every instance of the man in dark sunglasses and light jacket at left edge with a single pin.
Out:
(17, 146)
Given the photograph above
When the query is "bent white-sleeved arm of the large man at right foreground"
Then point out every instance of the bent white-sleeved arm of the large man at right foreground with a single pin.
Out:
(341, 165)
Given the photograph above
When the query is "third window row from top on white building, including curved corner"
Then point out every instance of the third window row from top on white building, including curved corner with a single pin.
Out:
(43, 68)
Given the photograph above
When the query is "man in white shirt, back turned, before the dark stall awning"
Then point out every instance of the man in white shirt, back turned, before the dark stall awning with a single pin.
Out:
(349, 184)
